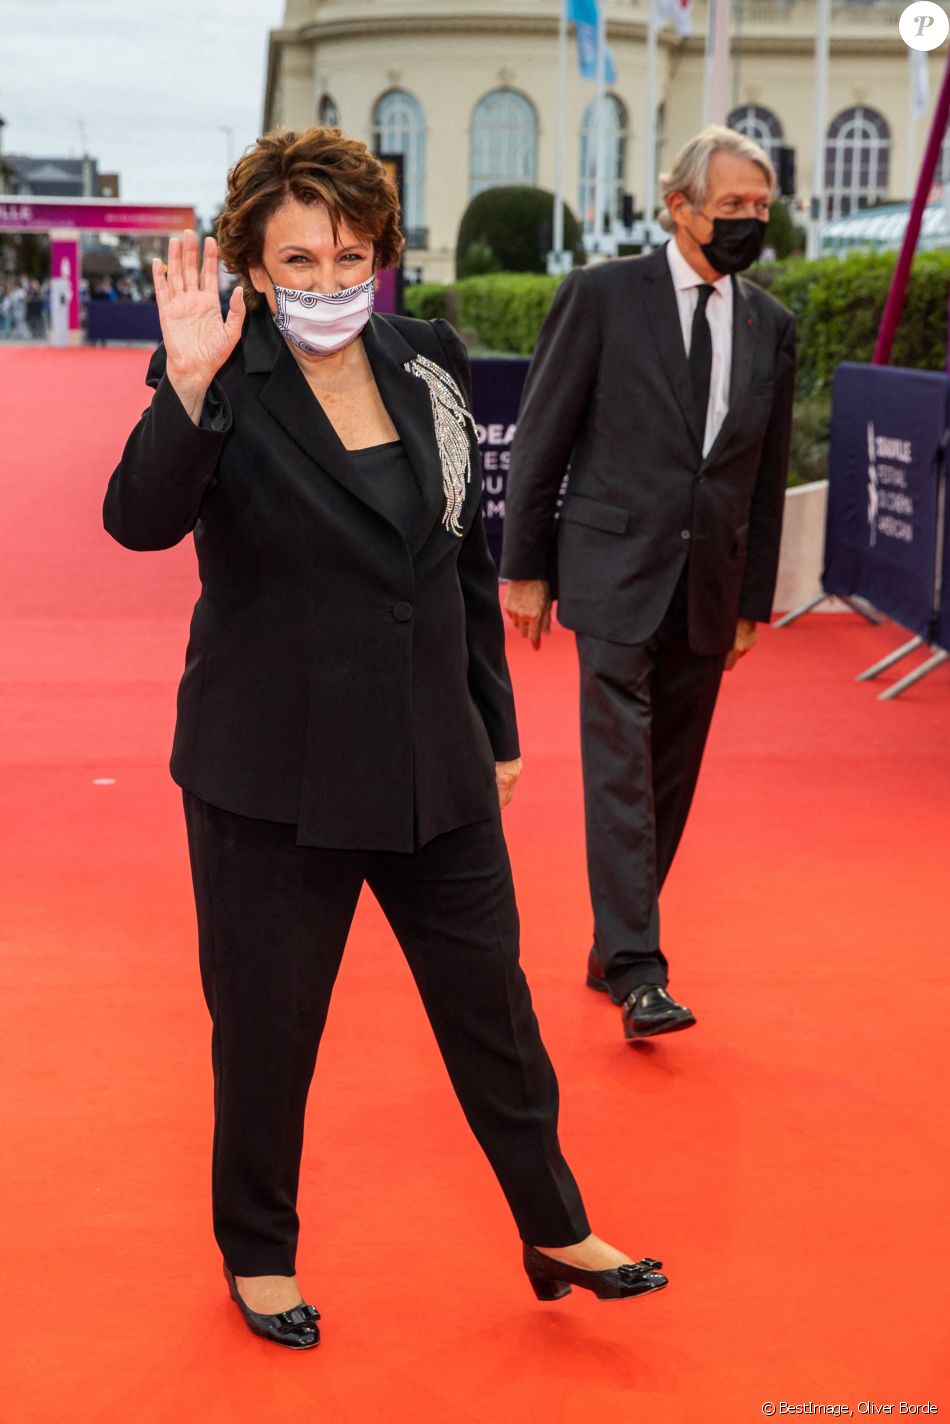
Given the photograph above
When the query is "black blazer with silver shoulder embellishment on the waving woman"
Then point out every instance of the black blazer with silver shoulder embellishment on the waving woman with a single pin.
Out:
(337, 679)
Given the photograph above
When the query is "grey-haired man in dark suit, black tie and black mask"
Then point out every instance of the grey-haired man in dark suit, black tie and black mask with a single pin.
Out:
(666, 382)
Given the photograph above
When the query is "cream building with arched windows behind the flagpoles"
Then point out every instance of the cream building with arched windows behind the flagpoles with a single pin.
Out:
(466, 93)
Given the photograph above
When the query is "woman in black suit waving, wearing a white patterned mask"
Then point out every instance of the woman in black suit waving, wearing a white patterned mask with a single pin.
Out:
(345, 713)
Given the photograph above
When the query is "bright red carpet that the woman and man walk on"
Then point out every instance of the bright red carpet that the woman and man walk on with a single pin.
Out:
(787, 1158)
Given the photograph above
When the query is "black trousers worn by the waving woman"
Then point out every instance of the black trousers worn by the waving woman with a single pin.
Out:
(273, 923)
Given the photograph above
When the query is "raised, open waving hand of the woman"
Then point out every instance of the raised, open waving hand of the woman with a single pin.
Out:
(197, 341)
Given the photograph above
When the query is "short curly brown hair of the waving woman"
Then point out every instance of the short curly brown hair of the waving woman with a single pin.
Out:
(318, 166)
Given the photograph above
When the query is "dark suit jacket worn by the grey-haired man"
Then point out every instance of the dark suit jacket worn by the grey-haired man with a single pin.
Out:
(609, 391)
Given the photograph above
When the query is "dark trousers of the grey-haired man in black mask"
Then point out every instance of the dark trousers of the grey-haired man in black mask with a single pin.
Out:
(646, 714)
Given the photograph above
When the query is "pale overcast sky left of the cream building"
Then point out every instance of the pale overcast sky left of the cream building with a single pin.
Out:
(153, 85)
